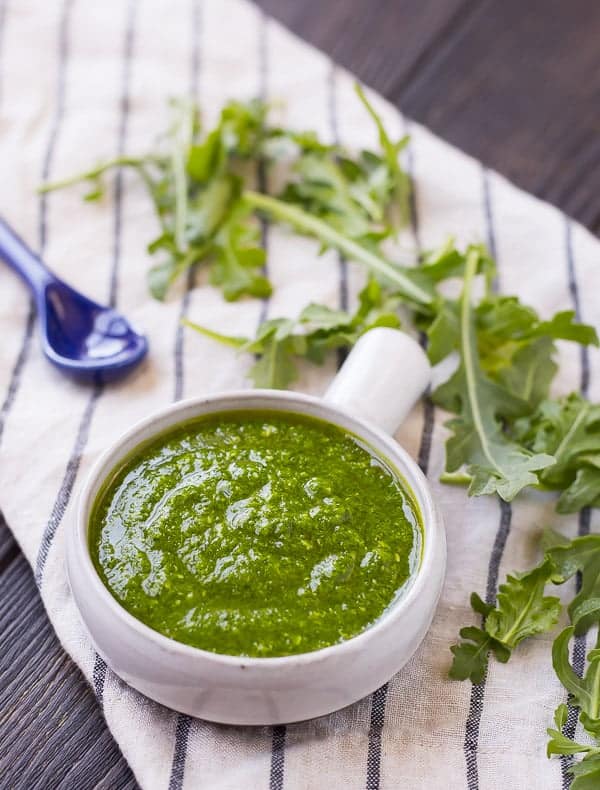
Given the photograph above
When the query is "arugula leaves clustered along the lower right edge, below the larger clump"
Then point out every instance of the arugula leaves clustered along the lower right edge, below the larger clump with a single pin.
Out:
(523, 610)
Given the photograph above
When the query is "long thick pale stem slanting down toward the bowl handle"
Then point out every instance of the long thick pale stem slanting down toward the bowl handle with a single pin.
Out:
(312, 226)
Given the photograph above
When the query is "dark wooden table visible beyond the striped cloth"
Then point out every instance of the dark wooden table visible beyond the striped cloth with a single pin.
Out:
(514, 83)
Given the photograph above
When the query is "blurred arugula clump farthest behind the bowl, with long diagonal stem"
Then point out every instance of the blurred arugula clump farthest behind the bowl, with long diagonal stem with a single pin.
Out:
(203, 190)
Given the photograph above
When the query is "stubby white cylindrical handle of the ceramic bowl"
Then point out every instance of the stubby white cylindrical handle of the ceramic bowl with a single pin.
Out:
(384, 375)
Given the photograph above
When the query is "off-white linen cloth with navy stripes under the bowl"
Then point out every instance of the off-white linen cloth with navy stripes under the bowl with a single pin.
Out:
(80, 82)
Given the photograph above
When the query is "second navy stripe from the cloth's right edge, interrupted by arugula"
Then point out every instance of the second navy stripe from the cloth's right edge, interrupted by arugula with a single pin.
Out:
(476, 702)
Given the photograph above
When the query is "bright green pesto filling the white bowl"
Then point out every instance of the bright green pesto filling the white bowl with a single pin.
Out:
(255, 533)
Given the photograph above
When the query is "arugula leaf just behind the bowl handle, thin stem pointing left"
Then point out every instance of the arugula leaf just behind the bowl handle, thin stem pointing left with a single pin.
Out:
(318, 330)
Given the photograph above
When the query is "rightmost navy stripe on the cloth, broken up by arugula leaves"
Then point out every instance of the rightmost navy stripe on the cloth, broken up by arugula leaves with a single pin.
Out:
(583, 527)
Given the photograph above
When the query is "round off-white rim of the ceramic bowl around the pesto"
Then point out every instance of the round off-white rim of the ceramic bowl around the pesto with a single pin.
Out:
(406, 468)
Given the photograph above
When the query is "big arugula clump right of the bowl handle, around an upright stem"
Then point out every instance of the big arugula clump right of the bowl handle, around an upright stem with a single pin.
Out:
(506, 366)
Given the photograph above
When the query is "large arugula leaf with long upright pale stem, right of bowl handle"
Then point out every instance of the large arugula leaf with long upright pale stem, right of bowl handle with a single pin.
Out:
(494, 462)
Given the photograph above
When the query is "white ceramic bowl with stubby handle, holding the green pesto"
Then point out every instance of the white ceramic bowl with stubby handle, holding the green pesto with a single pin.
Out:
(239, 690)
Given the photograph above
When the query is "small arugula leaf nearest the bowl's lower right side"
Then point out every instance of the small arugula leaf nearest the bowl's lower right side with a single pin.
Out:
(521, 611)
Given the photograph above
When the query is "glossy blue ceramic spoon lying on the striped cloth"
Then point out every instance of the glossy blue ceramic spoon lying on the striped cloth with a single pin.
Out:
(82, 338)
